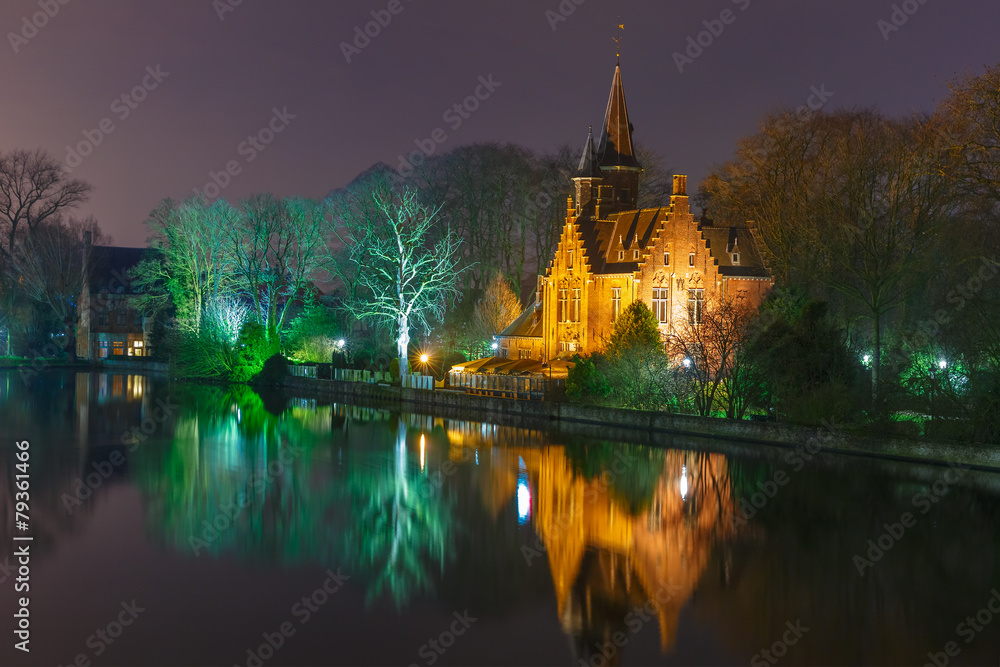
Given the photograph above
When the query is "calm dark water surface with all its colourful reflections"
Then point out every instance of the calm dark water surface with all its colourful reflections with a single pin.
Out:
(209, 521)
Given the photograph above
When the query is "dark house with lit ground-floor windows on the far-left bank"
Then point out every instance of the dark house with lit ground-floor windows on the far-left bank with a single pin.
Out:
(110, 325)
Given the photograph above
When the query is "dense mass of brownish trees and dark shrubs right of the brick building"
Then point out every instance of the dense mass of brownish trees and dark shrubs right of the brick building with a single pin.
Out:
(882, 234)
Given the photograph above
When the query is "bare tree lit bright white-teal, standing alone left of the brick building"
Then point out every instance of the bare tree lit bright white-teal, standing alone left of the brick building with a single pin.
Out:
(405, 276)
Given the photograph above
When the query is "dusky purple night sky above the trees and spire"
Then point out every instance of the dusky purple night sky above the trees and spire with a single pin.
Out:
(226, 76)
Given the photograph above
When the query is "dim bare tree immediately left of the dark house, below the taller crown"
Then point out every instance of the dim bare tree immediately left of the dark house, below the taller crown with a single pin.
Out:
(51, 268)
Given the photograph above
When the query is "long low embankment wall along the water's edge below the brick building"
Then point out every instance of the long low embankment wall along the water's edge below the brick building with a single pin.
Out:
(650, 427)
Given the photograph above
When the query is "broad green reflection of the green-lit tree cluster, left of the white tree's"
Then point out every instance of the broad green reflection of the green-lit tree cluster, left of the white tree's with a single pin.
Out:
(228, 447)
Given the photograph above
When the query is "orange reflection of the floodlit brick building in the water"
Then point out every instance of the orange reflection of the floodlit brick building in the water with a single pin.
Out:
(609, 553)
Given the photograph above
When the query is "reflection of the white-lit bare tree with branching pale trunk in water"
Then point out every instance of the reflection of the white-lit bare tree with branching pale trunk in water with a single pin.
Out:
(400, 522)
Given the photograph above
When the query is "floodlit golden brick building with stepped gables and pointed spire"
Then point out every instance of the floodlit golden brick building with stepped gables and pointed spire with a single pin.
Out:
(611, 253)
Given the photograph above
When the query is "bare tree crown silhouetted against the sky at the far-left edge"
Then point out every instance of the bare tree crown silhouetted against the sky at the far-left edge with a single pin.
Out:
(34, 187)
